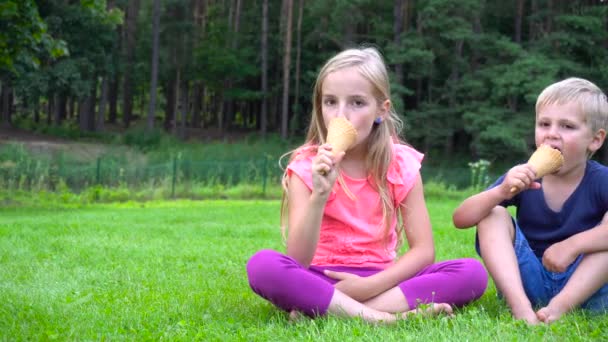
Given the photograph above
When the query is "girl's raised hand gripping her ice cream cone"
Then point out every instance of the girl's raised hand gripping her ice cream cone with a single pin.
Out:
(324, 170)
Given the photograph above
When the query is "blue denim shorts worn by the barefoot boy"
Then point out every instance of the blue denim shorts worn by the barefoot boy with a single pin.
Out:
(540, 284)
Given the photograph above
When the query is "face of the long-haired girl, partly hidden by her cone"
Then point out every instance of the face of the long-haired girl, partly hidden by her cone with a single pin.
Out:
(345, 92)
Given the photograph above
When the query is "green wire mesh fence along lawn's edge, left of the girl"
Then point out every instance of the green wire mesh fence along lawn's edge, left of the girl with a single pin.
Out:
(30, 174)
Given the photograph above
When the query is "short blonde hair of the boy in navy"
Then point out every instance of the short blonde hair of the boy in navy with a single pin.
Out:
(589, 97)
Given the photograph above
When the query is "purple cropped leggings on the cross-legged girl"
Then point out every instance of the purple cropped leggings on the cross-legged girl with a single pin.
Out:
(290, 286)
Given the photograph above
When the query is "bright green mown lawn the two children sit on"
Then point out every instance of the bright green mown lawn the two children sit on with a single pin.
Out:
(176, 271)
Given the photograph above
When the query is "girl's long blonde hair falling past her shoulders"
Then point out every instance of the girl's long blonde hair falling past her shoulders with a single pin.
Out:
(369, 63)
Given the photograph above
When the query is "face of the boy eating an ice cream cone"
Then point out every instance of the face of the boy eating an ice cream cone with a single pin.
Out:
(564, 127)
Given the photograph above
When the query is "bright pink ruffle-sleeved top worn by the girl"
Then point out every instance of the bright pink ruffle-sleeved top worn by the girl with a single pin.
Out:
(352, 233)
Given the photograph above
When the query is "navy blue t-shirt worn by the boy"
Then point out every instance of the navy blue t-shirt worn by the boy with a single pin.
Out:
(583, 210)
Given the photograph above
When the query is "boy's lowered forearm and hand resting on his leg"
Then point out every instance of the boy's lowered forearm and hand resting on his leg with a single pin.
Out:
(560, 255)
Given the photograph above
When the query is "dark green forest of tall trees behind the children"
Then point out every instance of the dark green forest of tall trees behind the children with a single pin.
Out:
(465, 74)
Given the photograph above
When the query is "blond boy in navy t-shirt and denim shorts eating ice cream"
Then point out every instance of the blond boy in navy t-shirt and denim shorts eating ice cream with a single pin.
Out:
(554, 254)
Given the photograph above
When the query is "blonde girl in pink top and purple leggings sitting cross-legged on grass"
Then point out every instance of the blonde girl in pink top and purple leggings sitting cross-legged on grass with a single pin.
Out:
(347, 213)
